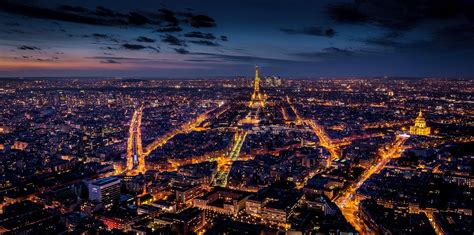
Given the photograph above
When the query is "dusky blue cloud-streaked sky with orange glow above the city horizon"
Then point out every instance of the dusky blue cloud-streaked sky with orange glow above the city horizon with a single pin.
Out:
(218, 38)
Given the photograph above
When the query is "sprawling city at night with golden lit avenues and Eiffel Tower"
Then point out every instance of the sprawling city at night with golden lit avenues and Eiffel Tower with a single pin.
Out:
(233, 155)
